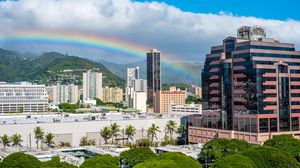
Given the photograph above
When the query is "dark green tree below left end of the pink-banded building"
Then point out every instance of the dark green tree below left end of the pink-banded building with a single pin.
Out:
(221, 147)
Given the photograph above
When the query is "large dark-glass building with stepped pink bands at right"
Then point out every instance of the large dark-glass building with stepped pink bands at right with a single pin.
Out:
(251, 89)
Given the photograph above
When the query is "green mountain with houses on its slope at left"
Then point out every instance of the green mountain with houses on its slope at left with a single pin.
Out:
(49, 68)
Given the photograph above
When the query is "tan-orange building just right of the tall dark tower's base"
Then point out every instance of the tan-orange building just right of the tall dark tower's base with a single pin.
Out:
(164, 99)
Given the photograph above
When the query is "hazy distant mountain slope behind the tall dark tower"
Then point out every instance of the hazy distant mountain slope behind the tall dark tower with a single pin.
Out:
(189, 73)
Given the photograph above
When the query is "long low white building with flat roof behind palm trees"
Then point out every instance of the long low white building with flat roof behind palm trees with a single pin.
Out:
(70, 128)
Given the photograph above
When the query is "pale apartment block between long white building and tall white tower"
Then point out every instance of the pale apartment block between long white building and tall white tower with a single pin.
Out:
(63, 93)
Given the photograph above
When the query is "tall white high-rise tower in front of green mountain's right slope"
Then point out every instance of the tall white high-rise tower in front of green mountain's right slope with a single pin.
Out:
(92, 85)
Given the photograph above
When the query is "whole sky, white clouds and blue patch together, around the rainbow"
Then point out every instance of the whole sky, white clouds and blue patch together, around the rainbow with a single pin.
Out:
(184, 30)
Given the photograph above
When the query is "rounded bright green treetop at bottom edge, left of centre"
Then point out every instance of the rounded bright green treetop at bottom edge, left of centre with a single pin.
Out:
(105, 161)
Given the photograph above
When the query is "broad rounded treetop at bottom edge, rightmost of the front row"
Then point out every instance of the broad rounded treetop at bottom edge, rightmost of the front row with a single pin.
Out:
(266, 157)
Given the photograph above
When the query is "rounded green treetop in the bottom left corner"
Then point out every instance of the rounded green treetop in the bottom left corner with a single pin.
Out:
(20, 160)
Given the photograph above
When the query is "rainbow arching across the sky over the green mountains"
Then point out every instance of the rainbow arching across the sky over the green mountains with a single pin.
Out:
(89, 41)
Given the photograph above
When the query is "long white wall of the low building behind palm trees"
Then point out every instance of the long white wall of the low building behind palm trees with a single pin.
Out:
(72, 132)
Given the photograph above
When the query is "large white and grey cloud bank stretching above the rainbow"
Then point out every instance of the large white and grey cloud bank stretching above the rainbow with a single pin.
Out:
(185, 35)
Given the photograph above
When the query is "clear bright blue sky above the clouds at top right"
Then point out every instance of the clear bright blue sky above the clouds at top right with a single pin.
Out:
(268, 9)
